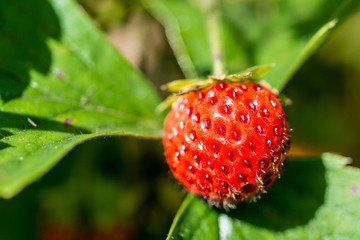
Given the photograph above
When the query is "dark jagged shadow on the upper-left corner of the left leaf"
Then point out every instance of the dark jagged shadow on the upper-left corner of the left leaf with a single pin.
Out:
(25, 27)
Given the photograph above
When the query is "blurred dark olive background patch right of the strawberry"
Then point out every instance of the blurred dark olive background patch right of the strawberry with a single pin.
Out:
(325, 95)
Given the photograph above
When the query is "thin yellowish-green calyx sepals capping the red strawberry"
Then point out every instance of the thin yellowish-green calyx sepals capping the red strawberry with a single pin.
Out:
(183, 86)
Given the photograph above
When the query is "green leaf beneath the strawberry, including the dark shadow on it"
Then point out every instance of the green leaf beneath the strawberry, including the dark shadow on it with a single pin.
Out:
(316, 198)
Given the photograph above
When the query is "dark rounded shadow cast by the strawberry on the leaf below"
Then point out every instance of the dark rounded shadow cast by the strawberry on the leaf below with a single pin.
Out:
(292, 201)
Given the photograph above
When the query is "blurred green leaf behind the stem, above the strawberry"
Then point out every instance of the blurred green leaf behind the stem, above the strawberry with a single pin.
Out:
(253, 33)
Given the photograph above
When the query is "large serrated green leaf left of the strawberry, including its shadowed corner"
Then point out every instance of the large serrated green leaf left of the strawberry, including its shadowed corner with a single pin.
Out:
(61, 83)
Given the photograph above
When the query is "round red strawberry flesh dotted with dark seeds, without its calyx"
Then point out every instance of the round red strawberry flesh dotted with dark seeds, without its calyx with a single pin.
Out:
(226, 143)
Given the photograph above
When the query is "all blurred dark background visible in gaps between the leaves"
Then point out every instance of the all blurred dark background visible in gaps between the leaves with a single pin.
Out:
(120, 187)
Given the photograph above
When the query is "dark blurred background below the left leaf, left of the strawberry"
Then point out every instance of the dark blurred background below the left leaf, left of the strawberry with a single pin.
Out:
(117, 188)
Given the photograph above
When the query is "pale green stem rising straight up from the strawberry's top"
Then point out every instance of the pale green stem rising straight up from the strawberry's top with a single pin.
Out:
(214, 32)
